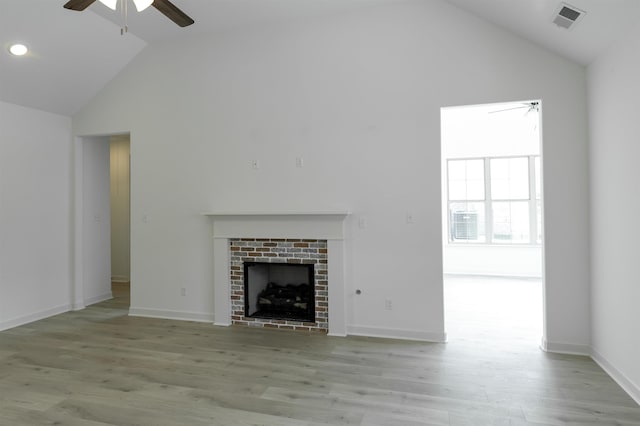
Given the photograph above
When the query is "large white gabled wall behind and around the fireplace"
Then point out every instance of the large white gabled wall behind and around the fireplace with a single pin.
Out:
(359, 97)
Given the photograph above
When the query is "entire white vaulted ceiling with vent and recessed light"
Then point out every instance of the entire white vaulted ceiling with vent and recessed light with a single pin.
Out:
(74, 54)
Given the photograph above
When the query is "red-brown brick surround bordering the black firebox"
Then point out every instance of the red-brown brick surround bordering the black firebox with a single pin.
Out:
(279, 250)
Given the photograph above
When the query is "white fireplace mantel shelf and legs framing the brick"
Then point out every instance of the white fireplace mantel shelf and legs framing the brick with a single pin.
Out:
(325, 225)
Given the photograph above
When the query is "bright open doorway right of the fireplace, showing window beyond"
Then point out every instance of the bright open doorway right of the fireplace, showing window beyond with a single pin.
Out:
(492, 222)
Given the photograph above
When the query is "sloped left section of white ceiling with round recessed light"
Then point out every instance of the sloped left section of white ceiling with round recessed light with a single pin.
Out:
(73, 55)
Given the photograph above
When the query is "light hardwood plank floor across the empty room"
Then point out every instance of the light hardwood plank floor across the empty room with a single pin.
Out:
(100, 367)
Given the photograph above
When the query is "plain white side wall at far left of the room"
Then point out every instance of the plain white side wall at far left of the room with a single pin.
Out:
(35, 214)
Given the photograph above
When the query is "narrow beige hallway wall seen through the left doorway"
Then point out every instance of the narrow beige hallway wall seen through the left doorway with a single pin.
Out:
(120, 221)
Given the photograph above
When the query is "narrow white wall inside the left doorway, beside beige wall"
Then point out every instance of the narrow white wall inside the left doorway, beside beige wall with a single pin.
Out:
(96, 220)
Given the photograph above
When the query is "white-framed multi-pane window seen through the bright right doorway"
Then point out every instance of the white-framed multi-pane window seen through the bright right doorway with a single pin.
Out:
(495, 200)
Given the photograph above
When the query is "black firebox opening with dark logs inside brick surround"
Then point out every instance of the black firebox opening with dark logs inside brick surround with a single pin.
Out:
(279, 291)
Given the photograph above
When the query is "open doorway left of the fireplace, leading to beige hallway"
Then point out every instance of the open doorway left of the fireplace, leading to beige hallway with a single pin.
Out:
(102, 225)
